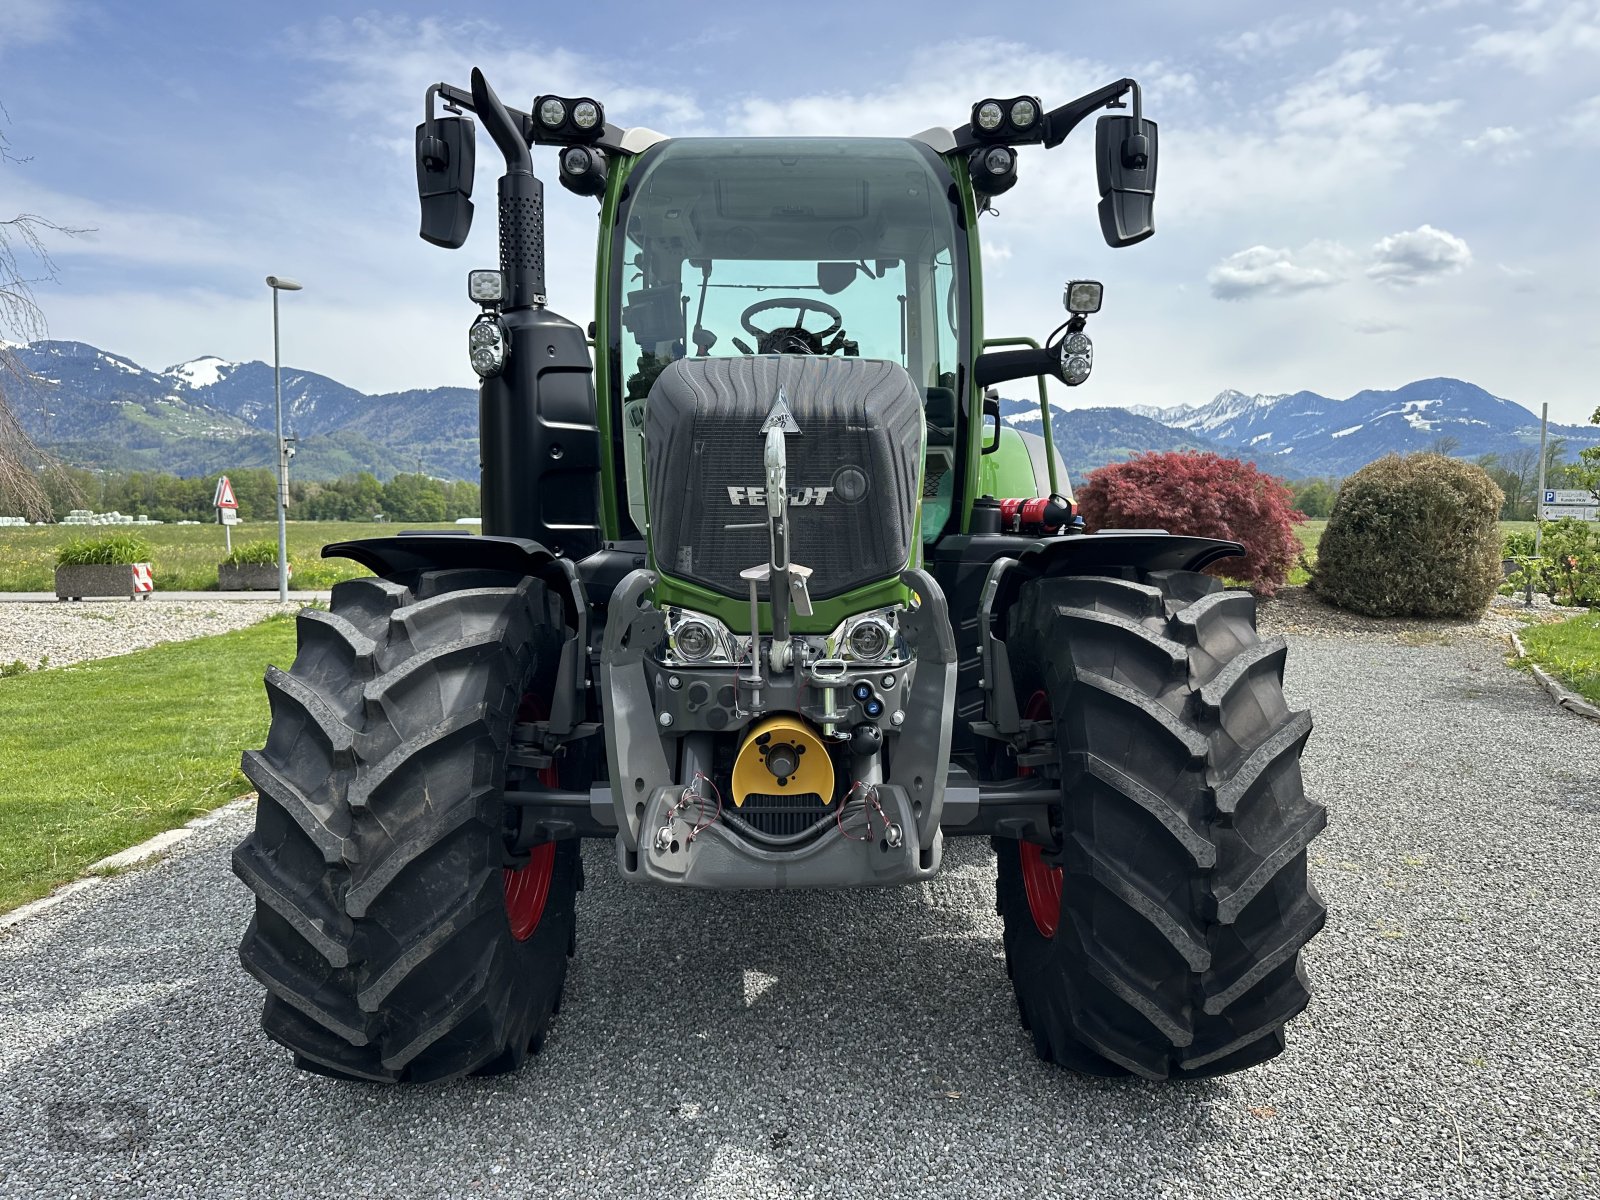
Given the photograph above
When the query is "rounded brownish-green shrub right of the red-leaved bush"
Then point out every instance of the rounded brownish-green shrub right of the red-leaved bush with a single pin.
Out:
(1414, 537)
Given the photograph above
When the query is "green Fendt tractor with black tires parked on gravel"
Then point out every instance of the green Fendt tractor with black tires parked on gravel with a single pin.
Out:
(770, 596)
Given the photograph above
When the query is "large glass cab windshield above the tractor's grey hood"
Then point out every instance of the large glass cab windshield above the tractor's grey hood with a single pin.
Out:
(788, 246)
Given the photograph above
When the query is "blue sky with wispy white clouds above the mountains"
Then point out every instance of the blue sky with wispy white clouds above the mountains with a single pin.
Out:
(1348, 198)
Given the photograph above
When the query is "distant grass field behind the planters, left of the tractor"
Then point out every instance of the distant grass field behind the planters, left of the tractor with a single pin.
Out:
(186, 556)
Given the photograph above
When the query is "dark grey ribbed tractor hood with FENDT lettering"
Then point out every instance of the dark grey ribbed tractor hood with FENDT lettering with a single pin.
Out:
(854, 468)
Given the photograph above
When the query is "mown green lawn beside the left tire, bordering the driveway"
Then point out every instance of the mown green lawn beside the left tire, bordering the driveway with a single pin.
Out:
(105, 754)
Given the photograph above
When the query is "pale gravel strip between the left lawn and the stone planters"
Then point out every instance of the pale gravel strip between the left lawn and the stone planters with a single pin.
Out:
(62, 633)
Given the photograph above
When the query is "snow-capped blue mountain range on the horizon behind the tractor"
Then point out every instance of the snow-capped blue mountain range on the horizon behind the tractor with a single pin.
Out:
(102, 410)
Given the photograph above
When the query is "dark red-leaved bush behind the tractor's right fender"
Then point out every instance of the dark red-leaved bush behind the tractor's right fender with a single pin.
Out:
(1207, 497)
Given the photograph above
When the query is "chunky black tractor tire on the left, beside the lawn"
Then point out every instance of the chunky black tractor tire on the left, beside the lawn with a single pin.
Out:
(383, 927)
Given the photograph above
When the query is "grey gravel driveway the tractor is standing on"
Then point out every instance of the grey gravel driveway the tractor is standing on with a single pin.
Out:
(866, 1044)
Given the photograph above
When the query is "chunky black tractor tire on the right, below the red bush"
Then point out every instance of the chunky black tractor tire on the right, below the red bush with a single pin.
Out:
(1182, 838)
